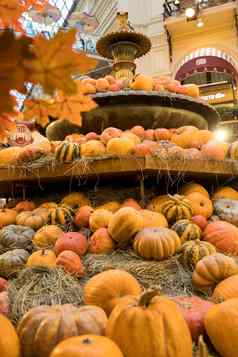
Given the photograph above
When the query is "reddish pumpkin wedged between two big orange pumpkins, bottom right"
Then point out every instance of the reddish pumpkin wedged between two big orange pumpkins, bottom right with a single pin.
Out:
(193, 309)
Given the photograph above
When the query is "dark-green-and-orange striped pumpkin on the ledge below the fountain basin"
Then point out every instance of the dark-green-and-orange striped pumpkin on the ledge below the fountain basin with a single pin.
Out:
(67, 152)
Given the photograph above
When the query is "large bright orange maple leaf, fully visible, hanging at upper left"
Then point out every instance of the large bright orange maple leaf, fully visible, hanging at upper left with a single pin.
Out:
(55, 62)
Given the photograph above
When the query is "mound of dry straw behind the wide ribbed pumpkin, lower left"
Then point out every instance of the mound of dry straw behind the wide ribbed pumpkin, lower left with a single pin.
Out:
(42, 286)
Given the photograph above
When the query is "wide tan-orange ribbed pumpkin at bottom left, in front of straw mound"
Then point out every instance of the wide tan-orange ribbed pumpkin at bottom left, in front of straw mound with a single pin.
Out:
(60, 322)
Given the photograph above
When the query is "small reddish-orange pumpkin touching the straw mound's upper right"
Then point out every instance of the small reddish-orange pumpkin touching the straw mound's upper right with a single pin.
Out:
(71, 263)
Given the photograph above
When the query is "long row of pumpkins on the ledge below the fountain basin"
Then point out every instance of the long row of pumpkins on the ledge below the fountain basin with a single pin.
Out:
(184, 143)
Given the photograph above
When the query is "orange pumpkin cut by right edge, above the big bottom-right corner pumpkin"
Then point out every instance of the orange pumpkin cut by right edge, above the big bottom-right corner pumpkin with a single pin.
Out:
(227, 289)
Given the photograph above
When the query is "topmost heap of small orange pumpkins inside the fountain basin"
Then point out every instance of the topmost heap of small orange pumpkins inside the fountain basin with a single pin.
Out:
(141, 82)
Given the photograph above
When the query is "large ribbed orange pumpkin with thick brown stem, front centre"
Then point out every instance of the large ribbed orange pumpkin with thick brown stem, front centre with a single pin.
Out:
(154, 318)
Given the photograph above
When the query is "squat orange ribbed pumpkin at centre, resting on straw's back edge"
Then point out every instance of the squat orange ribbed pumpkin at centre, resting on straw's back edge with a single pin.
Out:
(156, 243)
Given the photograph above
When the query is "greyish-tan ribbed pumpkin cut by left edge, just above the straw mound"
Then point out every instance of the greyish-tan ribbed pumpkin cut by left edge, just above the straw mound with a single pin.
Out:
(12, 261)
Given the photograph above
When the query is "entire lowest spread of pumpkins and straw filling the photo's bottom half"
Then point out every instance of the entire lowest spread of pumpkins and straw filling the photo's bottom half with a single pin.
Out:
(168, 269)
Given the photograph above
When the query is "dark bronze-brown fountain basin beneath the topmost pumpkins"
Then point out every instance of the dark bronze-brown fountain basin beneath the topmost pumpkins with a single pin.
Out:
(125, 109)
